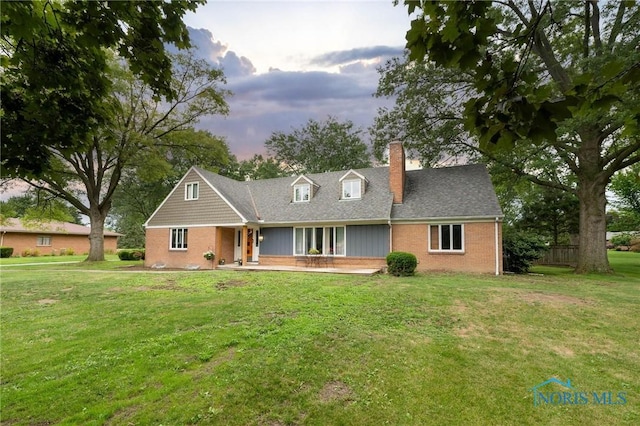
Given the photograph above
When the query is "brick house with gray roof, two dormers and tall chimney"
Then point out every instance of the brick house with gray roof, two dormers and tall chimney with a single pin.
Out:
(448, 217)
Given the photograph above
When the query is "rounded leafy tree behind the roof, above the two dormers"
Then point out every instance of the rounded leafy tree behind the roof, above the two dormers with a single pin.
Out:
(320, 147)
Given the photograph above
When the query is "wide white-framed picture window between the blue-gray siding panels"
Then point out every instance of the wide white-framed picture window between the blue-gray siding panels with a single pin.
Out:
(329, 240)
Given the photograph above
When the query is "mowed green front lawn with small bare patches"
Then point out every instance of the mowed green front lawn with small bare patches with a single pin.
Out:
(234, 348)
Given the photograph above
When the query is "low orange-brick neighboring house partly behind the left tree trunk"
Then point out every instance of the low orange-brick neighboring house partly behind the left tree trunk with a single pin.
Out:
(51, 237)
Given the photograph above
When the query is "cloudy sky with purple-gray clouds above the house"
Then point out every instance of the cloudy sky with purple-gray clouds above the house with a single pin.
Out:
(290, 61)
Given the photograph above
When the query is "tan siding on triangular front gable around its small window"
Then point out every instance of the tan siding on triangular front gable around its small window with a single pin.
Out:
(208, 209)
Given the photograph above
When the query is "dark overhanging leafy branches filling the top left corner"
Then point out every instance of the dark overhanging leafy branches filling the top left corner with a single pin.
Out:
(55, 69)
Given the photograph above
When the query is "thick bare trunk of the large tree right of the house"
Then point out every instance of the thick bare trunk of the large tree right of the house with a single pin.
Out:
(592, 252)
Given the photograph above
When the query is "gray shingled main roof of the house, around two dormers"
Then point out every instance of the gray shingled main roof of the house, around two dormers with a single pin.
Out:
(452, 192)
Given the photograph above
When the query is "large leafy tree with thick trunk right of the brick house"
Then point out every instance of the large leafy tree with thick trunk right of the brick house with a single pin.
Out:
(560, 79)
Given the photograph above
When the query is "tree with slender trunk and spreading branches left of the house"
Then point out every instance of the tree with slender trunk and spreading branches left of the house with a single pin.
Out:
(139, 132)
